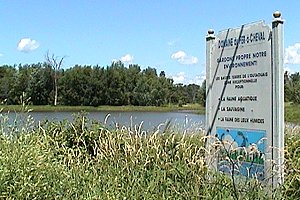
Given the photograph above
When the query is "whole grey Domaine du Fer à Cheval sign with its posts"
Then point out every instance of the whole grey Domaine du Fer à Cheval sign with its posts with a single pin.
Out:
(244, 106)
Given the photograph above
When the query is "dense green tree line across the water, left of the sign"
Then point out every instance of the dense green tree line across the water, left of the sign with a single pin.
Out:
(94, 85)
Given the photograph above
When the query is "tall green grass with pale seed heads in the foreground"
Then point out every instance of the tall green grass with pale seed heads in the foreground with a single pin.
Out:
(63, 160)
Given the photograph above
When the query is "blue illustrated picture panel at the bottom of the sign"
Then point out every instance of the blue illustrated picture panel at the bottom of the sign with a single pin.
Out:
(242, 151)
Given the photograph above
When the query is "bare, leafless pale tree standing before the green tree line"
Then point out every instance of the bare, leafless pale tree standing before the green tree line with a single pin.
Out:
(55, 63)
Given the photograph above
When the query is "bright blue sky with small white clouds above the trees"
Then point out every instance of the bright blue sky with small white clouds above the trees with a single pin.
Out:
(168, 35)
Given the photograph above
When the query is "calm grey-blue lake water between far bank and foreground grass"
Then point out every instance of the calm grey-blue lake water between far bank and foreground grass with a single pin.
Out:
(148, 121)
